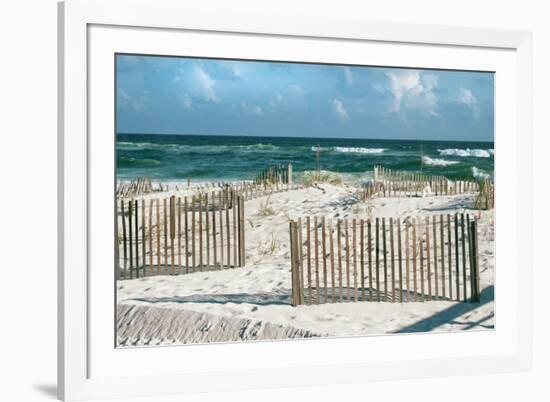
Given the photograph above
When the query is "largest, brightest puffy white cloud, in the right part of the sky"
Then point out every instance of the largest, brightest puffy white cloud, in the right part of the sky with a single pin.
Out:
(414, 90)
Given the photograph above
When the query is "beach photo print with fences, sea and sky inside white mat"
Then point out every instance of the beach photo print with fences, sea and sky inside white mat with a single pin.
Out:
(269, 200)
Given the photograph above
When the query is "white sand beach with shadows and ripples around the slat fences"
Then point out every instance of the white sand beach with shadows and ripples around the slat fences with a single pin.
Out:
(254, 301)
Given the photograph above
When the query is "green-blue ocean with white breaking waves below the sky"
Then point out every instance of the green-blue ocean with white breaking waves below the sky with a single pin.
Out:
(224, 158)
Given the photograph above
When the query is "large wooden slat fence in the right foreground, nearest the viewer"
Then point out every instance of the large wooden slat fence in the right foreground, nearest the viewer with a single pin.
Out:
(395, 259)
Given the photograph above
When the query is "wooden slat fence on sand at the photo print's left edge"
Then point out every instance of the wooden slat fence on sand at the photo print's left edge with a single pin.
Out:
(177, 235)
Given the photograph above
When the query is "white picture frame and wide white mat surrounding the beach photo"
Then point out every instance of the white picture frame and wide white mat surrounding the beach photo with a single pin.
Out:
(90, 31)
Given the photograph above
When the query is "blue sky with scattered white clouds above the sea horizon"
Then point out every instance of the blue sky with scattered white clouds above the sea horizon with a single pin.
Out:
(170, 95)
